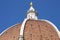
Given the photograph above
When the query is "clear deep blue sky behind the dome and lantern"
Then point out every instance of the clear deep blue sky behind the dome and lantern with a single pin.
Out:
(14, 11)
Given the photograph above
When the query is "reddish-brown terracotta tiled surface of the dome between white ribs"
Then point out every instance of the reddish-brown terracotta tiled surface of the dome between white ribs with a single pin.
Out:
(34, 30)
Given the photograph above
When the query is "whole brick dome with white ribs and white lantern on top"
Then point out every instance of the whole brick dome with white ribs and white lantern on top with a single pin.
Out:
(31, 28)
